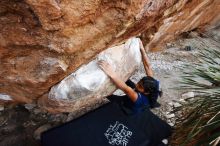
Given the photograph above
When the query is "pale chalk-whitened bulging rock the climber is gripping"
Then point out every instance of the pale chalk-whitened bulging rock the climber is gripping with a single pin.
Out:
(89, 84)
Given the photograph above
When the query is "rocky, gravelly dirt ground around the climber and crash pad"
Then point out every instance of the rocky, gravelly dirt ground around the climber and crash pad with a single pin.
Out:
(21, 125)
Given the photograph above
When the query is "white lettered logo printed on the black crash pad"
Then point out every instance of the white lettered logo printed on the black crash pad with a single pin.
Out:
(118, 134)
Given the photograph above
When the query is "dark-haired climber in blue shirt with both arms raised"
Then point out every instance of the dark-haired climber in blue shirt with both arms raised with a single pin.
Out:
(140, 96)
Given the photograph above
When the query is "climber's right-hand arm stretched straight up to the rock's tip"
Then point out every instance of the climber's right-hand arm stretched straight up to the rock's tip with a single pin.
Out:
(146, 61)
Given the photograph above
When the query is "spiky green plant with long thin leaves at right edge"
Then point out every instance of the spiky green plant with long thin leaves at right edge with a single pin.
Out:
(199, 124)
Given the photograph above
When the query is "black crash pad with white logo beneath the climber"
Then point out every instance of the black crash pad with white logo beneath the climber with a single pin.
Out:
(109, 126)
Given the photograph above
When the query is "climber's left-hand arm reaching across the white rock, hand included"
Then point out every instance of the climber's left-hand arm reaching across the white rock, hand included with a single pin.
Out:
(117, 81)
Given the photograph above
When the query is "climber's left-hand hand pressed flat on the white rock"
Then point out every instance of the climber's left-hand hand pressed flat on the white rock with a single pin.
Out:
(107, 68)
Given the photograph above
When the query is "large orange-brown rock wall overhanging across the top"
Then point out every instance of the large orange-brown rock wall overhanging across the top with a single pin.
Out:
(42, 42)
